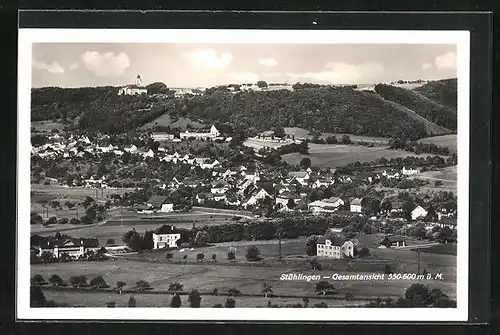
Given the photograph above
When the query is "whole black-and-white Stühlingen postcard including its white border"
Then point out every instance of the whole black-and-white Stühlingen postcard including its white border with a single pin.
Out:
(249, 174)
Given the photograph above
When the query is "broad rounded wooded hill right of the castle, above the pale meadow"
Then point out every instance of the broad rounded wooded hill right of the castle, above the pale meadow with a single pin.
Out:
(327, 109)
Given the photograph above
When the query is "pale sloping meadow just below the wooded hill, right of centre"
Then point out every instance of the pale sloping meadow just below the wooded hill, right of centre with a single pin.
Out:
(332, 156)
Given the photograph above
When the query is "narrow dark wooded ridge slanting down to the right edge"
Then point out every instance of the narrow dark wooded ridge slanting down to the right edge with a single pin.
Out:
(420, 104)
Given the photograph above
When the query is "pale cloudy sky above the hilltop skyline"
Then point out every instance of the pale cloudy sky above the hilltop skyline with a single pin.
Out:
(197, 65)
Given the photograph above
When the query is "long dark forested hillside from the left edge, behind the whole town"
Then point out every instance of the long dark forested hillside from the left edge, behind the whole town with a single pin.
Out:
(327, 109)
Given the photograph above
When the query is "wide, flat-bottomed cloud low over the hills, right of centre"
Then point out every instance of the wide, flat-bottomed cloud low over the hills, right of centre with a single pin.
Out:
(342, 73)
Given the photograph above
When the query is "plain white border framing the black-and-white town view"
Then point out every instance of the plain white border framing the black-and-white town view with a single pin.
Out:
(29, 36)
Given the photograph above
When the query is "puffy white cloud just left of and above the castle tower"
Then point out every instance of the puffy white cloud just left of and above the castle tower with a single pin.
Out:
(106, 64)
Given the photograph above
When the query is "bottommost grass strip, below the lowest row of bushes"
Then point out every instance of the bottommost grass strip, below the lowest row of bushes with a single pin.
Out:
(92, 299)
